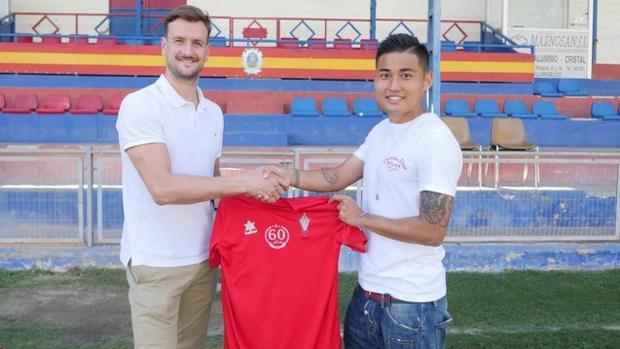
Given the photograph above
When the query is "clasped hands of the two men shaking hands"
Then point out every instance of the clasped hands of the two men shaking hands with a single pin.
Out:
(268, 183)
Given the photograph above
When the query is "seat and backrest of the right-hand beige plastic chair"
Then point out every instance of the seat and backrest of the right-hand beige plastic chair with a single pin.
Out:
(509, 134)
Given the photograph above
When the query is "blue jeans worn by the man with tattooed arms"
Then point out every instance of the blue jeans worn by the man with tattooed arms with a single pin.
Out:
(370, 324)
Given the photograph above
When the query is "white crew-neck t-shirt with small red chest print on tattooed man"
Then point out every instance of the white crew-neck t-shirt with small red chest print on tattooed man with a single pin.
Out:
(400, 161)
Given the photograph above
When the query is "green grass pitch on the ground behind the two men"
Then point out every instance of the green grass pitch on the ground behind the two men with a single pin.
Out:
(520, 309)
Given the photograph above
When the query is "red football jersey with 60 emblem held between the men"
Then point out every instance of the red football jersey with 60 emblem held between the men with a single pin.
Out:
(280, 271)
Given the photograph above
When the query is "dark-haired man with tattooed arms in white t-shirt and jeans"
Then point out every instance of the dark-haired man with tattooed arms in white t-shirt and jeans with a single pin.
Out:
(410, 164)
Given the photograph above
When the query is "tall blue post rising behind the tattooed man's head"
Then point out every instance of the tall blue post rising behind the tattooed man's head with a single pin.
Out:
(433, 43)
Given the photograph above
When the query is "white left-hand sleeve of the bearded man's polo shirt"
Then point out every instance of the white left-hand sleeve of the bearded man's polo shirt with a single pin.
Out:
(138, 122)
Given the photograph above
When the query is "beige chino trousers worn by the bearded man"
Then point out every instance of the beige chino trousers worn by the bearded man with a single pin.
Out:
(170, 307)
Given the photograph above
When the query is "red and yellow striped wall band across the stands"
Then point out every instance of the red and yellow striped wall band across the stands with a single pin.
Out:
(227, 62)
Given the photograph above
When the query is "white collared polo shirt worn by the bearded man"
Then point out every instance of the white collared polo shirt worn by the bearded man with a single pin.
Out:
(167, 235)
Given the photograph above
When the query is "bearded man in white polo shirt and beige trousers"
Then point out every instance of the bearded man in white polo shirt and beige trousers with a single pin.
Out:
(170, 137)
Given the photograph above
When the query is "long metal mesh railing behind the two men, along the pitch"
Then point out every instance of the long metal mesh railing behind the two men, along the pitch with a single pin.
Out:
(72, 194)
